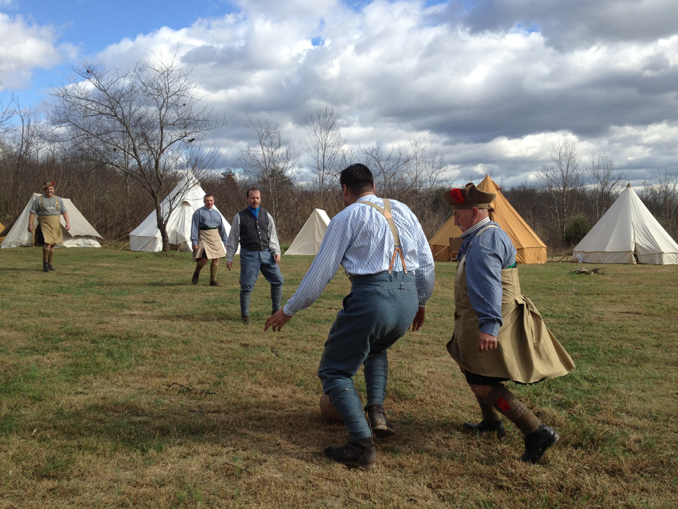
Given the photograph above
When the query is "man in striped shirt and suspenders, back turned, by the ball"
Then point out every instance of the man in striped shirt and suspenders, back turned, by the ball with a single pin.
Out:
(384, 251)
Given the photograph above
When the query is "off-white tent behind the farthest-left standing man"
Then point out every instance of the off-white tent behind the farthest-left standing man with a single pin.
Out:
(81, 234)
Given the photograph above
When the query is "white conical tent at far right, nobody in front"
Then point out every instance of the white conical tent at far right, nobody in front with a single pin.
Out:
(627, 233)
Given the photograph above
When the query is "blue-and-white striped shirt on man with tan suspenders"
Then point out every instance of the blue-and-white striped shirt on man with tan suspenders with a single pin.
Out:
(360, 239)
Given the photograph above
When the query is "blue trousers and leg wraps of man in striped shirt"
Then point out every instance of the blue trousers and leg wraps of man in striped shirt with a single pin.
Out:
(376, 313)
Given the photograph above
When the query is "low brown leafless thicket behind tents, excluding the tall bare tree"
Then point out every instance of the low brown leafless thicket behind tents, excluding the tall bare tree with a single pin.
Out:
(116, 204)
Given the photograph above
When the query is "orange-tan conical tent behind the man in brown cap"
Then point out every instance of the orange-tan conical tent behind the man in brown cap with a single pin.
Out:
(529, 247)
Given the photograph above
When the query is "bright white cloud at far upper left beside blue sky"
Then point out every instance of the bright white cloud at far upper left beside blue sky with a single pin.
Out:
(23, 48)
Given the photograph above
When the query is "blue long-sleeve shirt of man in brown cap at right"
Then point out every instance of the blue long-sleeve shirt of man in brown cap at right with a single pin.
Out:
(486, 256)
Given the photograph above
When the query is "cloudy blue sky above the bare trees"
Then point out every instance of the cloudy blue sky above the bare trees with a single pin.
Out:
(490, 85)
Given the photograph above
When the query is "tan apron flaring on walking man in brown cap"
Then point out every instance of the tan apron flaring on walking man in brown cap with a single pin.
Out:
(527, 351)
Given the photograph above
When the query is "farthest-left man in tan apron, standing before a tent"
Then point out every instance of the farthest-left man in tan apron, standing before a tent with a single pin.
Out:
(49, 209)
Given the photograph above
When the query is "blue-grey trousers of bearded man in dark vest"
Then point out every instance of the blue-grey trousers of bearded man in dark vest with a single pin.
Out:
(251, 262)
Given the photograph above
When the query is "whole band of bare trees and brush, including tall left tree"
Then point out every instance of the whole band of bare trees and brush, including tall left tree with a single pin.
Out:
(118, 166)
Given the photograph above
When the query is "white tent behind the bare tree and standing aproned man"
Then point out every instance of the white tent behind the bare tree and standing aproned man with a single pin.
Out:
(186, 198)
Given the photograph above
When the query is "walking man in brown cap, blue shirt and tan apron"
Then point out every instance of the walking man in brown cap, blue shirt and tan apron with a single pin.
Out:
(498, 335)
